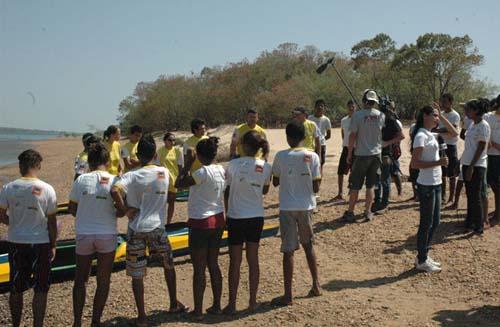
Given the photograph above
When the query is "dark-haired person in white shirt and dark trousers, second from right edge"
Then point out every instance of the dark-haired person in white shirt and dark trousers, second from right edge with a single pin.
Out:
(474, 162)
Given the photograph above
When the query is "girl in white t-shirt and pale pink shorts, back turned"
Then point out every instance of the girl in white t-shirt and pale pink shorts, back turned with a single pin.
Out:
(96, 231)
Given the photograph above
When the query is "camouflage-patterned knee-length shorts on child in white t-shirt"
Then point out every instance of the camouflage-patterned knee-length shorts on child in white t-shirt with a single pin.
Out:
(137, 258)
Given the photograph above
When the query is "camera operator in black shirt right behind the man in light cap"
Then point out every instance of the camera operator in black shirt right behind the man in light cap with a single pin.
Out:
(391, 135)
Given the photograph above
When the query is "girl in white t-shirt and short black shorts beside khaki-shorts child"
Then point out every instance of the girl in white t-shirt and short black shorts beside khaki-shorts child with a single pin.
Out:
(247, 179)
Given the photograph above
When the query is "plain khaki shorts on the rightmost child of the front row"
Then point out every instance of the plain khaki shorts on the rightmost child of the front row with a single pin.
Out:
(295, 229)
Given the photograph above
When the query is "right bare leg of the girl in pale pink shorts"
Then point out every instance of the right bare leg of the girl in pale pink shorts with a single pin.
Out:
(104, 268)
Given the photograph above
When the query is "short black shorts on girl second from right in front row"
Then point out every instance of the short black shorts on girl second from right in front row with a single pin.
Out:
(244, 230)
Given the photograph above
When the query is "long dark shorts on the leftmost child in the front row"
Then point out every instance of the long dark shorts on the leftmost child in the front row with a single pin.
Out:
(29, 267)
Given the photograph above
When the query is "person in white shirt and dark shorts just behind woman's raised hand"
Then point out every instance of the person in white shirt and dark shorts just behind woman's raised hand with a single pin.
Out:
(453, 168)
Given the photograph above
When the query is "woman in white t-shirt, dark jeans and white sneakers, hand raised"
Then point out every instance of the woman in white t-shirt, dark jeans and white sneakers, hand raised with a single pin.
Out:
(425, 157)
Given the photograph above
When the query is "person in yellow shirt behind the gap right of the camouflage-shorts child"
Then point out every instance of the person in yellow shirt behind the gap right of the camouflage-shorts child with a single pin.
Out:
(172, 158)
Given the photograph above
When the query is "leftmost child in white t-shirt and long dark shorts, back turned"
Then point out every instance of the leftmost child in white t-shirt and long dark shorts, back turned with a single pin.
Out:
(29, 206)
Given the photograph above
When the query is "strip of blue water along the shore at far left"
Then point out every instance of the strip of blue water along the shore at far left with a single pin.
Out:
(13, 143)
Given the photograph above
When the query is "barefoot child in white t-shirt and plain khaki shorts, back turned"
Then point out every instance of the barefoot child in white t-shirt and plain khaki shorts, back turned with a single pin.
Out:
(297, 172)
